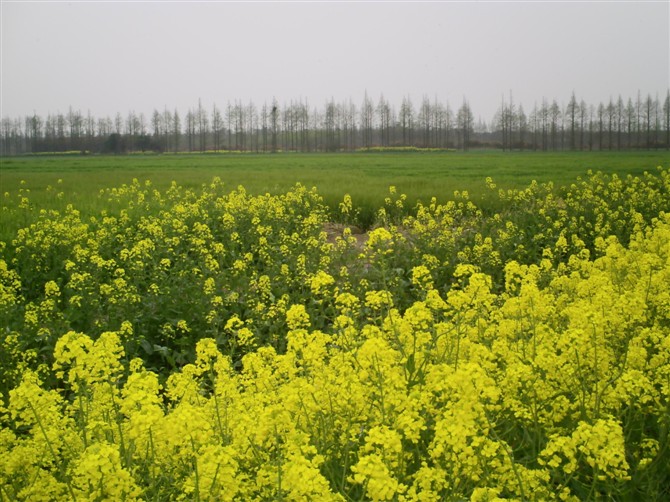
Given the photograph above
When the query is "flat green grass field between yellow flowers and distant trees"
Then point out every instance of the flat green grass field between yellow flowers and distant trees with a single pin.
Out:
(365, 176)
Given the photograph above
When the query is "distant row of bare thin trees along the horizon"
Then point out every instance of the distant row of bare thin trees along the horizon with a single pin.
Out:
(633, 123)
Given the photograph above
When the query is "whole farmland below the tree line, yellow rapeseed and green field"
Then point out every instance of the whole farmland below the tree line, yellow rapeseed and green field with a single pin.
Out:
(210, 327)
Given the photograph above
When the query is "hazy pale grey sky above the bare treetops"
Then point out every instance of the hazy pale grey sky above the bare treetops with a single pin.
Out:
(110, 57)
